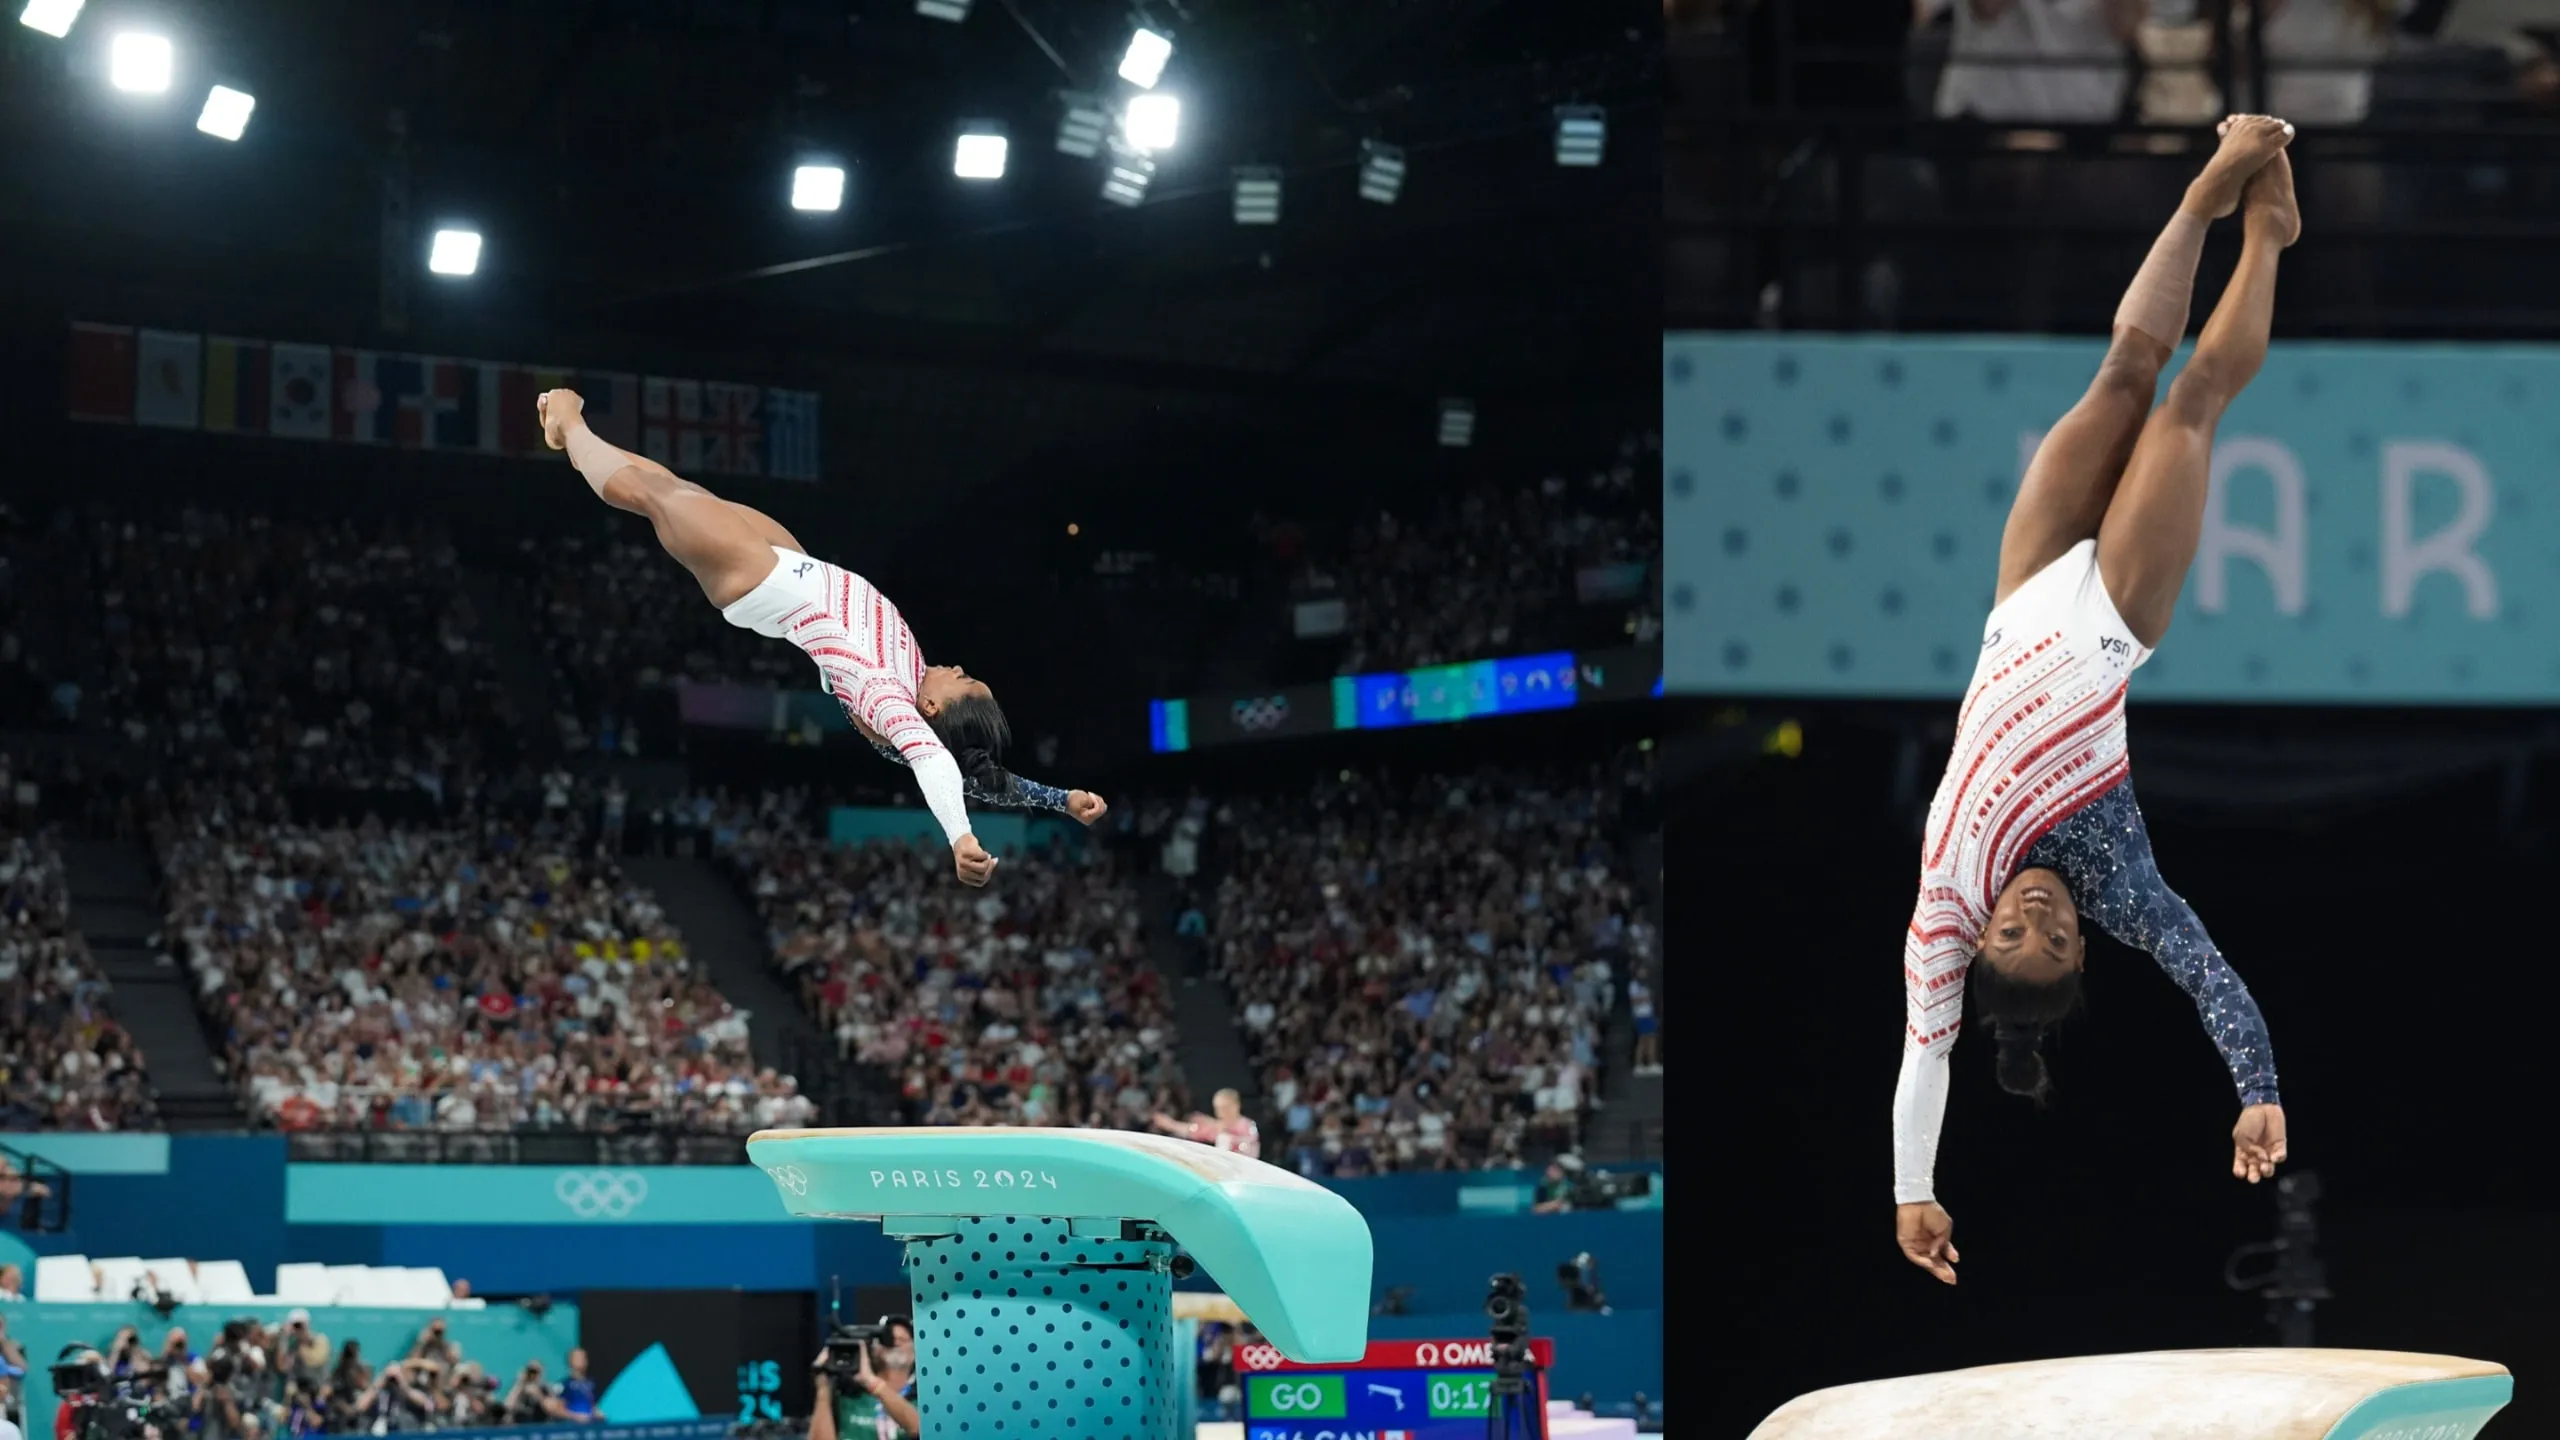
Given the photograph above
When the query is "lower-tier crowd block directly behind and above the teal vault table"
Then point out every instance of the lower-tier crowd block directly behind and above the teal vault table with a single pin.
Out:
(1025, 1003)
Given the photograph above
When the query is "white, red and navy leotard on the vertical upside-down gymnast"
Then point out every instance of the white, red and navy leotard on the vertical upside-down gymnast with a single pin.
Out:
(2039, 778)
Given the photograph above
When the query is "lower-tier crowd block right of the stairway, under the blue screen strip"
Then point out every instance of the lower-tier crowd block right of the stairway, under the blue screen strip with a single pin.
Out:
(1425, 967)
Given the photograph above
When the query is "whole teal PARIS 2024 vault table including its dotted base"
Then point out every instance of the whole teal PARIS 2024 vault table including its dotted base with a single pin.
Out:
(1043, 1264)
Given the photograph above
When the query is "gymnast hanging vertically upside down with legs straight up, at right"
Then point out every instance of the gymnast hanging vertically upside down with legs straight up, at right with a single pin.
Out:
(2034, 824)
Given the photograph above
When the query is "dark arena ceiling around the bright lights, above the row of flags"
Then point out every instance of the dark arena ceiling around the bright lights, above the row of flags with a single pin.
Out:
(628, 163)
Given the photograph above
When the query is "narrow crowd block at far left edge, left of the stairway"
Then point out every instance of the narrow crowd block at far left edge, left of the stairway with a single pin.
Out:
(65, 1062)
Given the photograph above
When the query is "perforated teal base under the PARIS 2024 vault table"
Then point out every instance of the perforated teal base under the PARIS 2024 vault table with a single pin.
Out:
(1030, 1329)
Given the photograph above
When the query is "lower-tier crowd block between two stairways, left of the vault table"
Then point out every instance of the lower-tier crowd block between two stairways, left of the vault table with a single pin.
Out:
(503, 978)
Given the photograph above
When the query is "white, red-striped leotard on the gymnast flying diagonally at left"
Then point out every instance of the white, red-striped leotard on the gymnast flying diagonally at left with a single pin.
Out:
(872, 665)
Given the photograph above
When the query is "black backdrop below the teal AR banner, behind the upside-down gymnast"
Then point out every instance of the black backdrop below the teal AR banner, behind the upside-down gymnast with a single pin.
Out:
(2390, 926)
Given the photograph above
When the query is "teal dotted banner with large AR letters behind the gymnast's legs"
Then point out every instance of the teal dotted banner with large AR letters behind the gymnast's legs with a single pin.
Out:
(2385, 521)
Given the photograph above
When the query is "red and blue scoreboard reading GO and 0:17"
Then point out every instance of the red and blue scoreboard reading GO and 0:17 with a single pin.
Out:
(1402, 1390)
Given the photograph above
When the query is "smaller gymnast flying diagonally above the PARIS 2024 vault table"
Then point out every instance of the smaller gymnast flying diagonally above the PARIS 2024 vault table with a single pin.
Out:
(938, 721)
